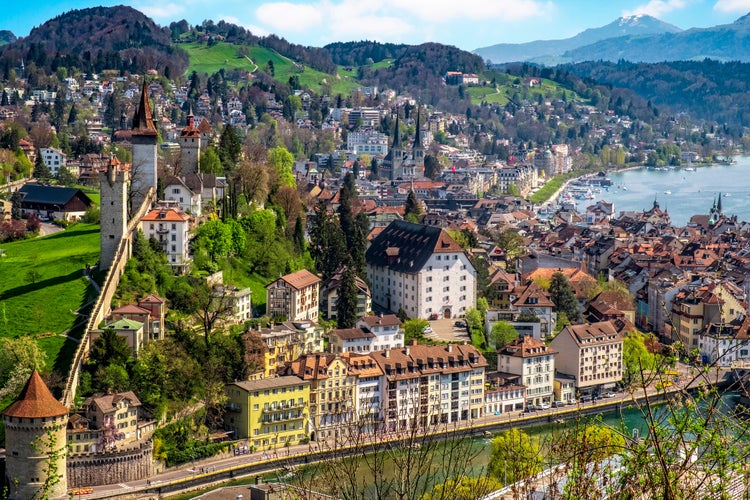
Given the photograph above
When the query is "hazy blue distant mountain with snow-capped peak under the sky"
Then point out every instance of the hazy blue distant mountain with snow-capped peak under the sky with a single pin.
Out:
(547, 51)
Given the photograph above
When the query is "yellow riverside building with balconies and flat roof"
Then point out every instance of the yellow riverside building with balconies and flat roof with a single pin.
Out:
(270, 413)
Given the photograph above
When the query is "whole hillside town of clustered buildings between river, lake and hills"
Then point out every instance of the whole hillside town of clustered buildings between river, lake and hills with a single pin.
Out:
(449, 234)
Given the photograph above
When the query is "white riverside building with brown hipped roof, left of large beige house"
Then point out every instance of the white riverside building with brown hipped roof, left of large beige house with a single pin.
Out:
(534, 361)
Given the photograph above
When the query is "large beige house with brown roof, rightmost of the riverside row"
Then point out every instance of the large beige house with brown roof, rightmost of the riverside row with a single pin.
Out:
(592, 354)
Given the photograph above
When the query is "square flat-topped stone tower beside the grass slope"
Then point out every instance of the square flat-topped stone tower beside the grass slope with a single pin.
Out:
(113, 207)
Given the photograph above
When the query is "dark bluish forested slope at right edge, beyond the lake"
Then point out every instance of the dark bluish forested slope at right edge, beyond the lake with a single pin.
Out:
(706, 89)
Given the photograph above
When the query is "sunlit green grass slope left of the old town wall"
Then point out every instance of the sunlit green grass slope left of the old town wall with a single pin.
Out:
(45, 307)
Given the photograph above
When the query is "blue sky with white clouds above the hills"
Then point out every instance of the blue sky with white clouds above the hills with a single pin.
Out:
(468, 24)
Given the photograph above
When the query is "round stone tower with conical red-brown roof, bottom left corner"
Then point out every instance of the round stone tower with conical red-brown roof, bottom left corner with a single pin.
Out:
(35, 441)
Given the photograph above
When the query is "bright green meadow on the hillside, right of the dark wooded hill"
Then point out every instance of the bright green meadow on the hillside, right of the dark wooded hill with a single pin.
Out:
(209, 60)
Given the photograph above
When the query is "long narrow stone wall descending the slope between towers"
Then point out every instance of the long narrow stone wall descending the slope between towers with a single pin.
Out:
(104, 299)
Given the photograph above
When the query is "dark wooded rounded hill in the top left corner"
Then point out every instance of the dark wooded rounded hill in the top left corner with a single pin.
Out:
(94, 39)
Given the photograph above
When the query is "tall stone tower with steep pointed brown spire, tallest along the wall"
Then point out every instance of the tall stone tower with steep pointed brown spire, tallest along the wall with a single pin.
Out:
(144, 137)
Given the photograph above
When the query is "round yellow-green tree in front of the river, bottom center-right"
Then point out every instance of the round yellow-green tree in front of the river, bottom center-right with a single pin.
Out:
(515, 456)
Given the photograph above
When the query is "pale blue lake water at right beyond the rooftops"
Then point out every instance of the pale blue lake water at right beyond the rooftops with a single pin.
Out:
(690, 193)
